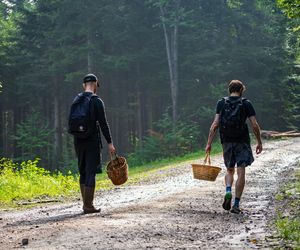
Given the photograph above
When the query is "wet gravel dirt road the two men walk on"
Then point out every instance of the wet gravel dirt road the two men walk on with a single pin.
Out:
(176, 213)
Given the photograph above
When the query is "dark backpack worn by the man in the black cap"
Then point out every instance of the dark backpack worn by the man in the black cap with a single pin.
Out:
(82, 123)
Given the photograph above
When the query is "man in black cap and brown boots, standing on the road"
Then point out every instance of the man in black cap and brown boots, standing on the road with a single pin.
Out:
(88, 147)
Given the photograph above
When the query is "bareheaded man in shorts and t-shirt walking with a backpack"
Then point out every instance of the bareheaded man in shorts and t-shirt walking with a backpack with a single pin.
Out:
(231, 115)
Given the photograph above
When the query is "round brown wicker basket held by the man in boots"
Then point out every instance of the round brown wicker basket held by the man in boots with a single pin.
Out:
(117, 170)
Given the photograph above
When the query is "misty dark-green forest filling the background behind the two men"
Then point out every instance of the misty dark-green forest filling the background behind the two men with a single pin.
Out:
(162, 64)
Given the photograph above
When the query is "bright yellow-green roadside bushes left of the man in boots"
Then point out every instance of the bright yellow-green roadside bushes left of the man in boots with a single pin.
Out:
(27, 181)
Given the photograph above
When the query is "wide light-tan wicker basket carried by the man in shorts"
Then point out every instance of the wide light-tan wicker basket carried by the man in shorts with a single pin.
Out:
(204, 171)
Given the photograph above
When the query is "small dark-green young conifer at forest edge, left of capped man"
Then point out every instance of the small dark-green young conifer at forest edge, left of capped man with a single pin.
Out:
(32, 136)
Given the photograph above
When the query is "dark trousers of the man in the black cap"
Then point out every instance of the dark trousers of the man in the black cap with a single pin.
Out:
(89, 160)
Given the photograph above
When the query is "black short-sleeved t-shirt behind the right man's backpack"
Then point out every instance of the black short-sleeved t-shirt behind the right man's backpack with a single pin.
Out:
(250, 111)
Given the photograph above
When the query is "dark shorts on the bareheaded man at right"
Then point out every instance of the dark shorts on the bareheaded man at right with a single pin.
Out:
(239, 154)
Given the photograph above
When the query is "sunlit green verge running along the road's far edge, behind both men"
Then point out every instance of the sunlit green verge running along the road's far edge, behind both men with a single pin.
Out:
(27, 181)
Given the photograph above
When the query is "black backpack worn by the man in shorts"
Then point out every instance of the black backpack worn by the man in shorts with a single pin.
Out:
(233, 118)
